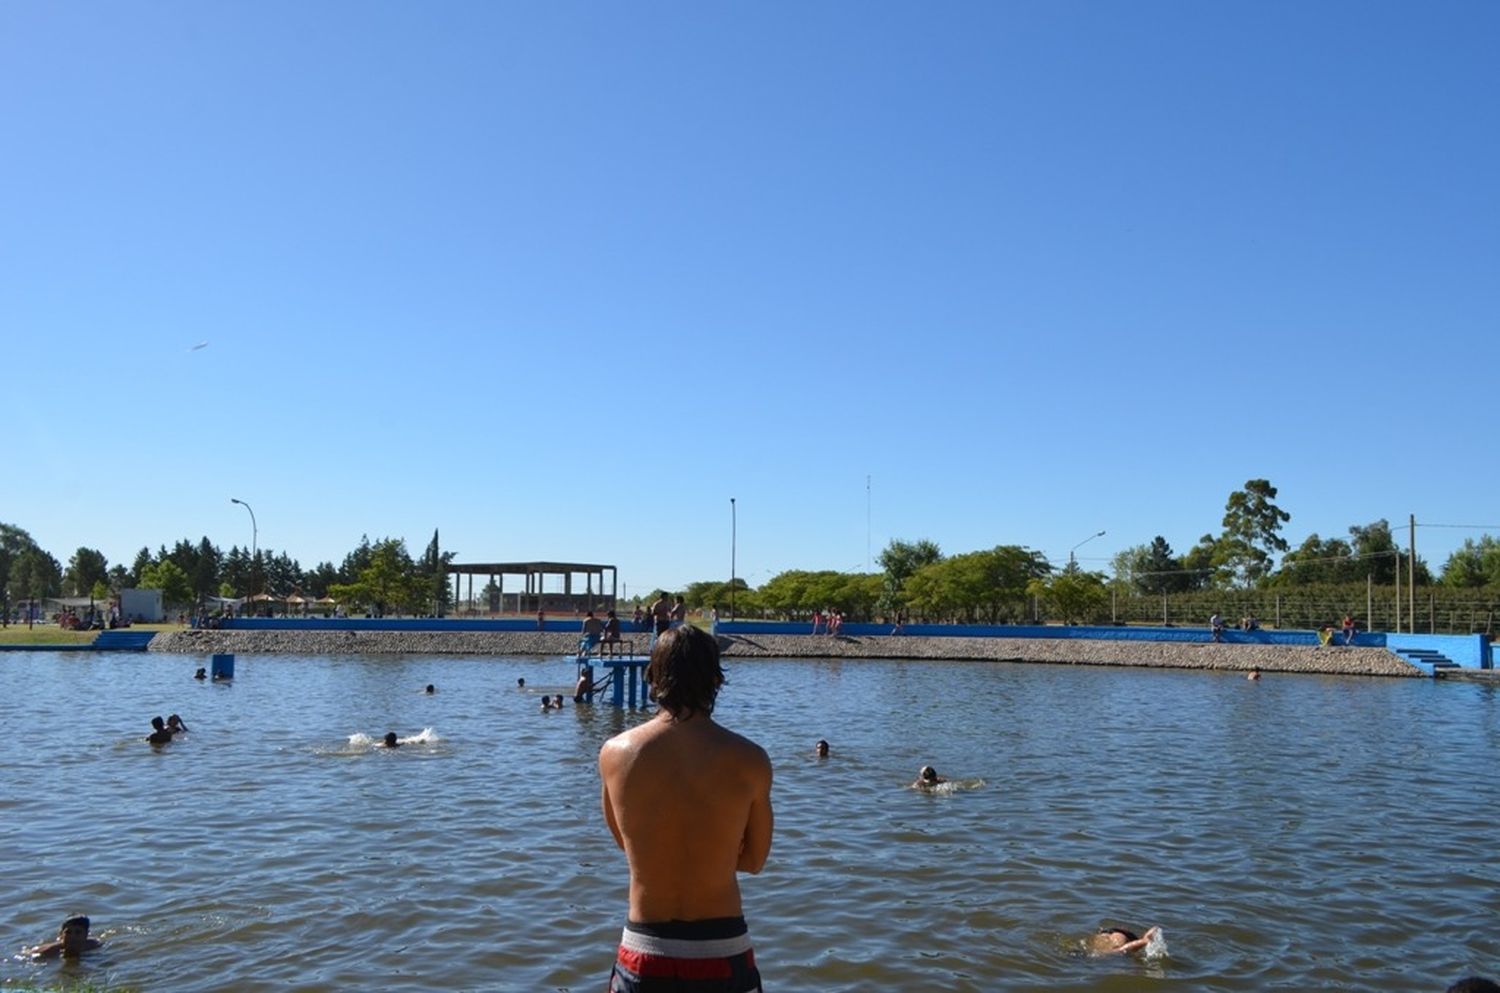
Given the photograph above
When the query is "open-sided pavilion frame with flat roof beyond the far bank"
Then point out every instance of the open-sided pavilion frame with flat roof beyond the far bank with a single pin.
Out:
(551, 587)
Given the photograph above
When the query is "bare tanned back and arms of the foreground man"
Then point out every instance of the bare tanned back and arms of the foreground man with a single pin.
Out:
(691, 805)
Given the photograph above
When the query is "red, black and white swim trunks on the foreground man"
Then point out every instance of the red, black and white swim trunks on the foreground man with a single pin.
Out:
(707, 956)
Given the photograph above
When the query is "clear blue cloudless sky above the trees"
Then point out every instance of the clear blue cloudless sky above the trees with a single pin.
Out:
(560, 280)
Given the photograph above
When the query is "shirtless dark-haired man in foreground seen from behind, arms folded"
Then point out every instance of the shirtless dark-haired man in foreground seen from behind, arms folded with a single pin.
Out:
(691, 805)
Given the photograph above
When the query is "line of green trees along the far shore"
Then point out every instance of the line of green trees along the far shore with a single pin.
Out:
(1007, 583)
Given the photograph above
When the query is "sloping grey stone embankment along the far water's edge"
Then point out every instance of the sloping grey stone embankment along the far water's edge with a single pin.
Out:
(1372, 662)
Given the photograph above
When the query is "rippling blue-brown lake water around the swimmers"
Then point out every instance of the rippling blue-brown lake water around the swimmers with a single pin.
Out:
(1288, 835)
